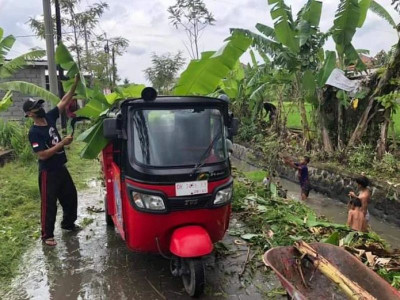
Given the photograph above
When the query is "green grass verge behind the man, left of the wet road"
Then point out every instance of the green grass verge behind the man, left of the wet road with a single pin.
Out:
(20, 206)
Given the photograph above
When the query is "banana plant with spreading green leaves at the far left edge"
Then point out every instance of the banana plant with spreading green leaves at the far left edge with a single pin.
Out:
(9, 67)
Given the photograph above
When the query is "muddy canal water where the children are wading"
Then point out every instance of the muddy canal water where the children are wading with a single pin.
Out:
(335, 210)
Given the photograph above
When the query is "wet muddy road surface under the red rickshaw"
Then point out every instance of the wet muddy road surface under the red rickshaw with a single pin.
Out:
(95, 264)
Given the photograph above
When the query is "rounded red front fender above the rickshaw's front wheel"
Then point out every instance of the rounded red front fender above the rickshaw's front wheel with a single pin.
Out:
(190, 241)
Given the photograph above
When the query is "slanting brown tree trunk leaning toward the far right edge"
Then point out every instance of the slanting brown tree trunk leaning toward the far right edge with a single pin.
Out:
(392, 69)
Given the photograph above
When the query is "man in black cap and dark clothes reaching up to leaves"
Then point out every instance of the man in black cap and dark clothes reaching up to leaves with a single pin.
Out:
(55, 182)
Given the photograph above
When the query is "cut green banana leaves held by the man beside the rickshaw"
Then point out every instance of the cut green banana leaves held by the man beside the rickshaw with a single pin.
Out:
(97, 105)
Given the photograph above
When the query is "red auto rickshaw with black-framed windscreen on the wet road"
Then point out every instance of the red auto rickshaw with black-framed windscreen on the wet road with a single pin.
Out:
(168, 177)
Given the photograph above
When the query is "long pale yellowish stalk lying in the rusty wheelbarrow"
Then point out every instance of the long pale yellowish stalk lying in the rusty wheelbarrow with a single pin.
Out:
(349, 287)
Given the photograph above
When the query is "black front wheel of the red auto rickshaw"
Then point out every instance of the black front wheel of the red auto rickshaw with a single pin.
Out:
(193, 276)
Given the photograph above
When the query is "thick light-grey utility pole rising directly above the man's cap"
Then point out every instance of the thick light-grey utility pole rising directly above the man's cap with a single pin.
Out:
(51, 62)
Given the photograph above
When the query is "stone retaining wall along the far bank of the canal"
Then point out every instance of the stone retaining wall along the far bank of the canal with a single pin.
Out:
(385, 201)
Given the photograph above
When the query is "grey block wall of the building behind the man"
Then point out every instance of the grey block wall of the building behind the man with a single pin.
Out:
(33, 74)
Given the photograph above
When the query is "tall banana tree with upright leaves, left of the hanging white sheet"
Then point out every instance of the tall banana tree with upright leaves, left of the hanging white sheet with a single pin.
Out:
(293, 45)
